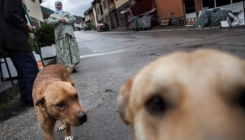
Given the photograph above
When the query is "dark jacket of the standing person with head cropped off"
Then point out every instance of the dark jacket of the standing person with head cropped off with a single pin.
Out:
(13, 26)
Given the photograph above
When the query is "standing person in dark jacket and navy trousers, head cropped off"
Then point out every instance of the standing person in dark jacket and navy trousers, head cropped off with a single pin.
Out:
(14, 38)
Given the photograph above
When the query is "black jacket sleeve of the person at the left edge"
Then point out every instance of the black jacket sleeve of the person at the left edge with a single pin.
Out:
(11, 12)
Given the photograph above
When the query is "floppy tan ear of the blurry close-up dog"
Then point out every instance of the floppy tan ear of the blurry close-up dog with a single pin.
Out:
(122, 102)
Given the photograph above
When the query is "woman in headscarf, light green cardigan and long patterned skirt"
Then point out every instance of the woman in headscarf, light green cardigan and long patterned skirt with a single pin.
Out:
(67, 53)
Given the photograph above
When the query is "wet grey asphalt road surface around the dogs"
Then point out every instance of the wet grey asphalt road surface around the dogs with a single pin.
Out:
(107, 60)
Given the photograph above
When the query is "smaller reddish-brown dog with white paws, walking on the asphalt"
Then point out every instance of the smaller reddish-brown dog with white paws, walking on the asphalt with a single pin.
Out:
(55, 98)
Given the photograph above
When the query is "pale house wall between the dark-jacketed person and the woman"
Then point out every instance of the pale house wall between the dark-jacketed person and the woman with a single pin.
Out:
(34, 11)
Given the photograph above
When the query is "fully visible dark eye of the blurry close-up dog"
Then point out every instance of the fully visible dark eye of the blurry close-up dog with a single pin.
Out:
(155, 105)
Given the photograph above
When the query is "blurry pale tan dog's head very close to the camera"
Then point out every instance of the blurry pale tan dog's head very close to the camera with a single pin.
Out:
(187, 96)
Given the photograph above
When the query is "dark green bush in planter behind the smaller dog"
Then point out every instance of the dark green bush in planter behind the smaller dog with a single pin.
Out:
(45, 35)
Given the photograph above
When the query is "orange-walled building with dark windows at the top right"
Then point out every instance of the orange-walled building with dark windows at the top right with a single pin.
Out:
(185, 9)
